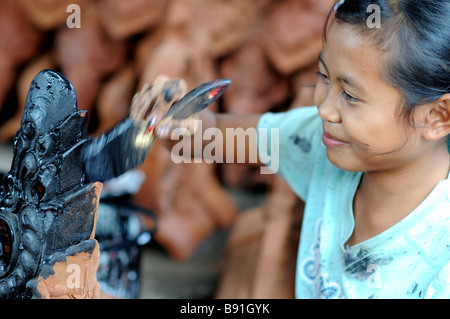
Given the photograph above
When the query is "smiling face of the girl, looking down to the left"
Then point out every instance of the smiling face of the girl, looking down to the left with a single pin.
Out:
(363, 128)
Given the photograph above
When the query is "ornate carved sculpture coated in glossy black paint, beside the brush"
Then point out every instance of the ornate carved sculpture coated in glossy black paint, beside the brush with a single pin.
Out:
(49, 199)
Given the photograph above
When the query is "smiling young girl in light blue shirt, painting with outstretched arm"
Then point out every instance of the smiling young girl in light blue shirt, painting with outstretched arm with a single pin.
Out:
(375, 172)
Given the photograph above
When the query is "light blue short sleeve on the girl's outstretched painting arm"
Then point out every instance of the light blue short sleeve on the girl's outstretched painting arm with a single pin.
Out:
(289, 144)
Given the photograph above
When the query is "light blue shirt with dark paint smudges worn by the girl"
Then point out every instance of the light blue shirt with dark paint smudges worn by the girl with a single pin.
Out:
(409, 260)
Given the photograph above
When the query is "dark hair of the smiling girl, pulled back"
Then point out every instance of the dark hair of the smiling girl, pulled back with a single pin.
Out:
(415, 36)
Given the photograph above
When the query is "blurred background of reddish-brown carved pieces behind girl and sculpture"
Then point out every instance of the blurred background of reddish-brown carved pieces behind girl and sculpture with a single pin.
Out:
(222, 230)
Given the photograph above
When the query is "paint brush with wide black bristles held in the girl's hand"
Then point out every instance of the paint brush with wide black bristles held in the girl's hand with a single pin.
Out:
(127, 144)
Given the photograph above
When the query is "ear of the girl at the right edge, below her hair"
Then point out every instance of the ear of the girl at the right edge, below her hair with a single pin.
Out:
(437, 119)
